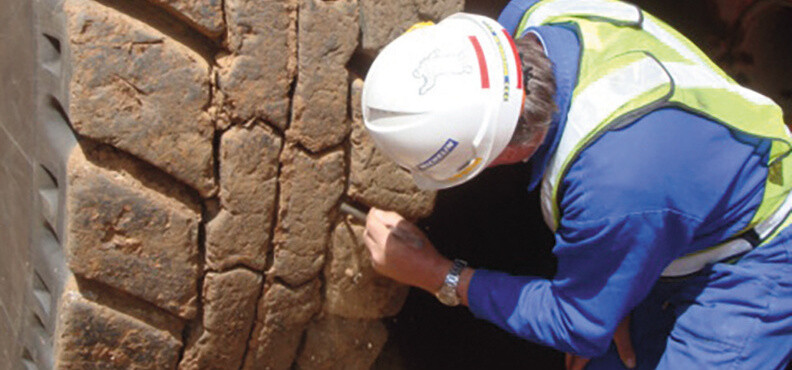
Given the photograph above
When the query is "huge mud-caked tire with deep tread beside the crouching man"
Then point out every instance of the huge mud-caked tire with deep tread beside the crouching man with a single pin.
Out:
(190, 157)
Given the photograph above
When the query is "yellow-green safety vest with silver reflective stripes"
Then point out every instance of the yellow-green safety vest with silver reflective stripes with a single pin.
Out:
(631, 64)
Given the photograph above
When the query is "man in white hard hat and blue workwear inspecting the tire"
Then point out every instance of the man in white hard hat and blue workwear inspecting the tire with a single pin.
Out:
(666, 183)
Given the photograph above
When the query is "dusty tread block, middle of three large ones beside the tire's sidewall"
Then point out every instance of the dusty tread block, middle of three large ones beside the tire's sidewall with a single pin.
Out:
(131, 229)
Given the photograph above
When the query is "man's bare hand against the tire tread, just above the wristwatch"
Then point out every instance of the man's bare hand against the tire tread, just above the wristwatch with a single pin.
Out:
(400, 251)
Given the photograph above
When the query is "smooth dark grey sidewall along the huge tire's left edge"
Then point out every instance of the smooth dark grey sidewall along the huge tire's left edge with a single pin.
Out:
(35, 142)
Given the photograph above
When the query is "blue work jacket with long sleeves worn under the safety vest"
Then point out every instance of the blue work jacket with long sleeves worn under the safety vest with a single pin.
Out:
(669, 184)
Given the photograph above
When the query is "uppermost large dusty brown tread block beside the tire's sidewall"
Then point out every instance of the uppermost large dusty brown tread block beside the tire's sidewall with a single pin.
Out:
(140, 91)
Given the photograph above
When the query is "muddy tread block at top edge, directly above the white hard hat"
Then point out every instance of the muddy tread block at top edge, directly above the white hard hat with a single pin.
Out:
(382, 21)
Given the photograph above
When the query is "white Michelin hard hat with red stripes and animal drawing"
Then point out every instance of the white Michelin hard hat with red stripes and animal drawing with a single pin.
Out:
(442, 101)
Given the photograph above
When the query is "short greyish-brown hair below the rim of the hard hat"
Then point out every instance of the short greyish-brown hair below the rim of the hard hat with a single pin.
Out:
(540, 87)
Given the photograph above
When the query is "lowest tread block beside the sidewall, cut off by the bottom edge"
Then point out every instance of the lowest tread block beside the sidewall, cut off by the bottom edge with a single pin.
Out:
(92, 335)
